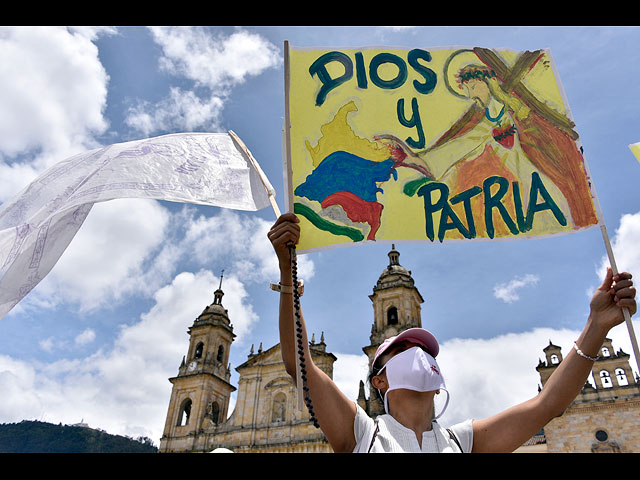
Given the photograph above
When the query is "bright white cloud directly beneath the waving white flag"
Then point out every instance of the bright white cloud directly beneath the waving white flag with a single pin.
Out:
(106, 260)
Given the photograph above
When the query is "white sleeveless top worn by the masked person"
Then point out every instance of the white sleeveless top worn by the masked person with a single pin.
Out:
(393, 437)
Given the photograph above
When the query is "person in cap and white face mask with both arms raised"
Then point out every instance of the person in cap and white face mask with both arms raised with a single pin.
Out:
(408, 391)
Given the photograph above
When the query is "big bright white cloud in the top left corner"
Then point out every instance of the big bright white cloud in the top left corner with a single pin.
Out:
(53, 90)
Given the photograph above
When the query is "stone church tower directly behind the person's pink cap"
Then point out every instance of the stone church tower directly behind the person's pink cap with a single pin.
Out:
(396, 307)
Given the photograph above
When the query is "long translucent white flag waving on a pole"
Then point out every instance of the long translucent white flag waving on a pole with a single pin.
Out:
(38, 224)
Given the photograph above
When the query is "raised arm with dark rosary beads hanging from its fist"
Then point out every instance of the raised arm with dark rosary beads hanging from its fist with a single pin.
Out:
(333, 410)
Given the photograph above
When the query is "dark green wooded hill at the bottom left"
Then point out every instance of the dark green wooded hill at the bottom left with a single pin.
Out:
(40, 437)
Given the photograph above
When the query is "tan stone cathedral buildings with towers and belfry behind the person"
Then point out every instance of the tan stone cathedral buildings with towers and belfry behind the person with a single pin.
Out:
(266, 417)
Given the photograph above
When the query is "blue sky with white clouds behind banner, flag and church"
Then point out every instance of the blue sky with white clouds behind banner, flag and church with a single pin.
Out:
(97, 340)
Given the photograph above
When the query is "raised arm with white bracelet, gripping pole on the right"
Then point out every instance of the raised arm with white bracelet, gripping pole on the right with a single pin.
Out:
(508, 430)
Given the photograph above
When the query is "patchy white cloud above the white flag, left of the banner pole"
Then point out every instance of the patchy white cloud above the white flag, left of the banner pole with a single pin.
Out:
(215, 63)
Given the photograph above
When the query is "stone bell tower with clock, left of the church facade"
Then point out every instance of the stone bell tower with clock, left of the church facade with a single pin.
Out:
(201, 390)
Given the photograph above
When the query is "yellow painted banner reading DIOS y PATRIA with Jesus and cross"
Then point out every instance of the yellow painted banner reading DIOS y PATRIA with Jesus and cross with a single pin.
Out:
(431, 145)
